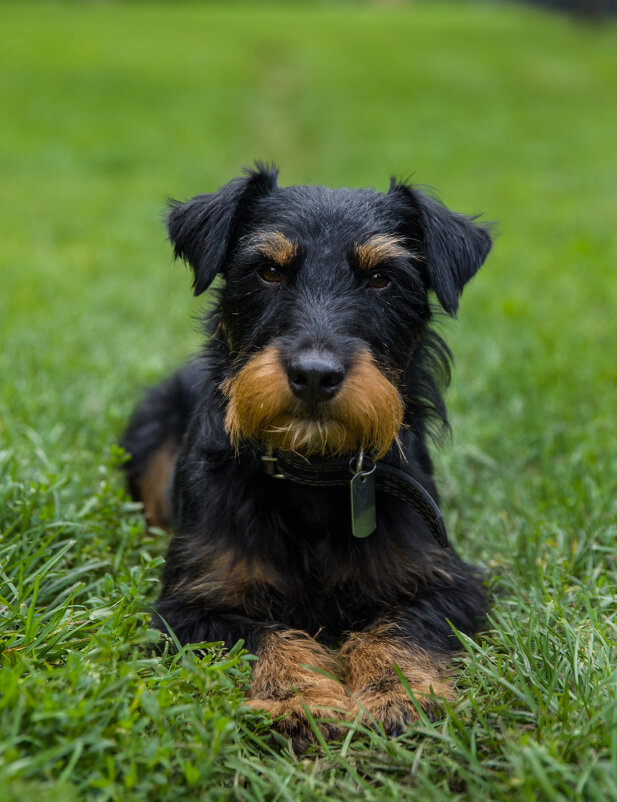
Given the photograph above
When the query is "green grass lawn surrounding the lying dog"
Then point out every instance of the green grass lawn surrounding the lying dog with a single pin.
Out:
(108, 109)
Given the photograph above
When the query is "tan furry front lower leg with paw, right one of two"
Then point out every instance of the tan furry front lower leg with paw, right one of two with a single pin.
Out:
(370, 657)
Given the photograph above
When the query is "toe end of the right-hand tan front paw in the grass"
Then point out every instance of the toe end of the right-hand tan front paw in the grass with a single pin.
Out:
(393, 708)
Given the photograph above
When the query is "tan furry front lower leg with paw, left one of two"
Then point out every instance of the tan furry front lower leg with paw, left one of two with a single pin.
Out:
(294, 673)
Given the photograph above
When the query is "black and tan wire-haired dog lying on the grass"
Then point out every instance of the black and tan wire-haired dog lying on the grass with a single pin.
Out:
(291, 456)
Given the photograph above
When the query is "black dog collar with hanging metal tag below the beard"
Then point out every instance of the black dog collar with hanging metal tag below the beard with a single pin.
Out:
(363, 476)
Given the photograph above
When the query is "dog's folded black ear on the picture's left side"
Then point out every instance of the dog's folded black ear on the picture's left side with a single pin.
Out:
(203, 228)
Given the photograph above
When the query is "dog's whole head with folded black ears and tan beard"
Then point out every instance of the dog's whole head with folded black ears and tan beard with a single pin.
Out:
(325, 300)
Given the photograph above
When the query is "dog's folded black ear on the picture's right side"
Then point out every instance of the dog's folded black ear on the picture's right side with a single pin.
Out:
(453, 246)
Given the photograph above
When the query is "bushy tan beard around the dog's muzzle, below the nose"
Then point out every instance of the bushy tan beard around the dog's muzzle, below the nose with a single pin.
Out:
(367, 412)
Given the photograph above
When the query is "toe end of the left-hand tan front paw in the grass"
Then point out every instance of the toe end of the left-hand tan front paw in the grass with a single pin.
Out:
(289, 718)
